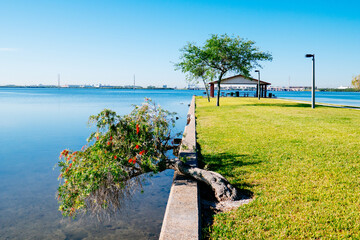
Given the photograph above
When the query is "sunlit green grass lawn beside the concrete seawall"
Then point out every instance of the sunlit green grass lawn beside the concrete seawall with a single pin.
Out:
(301, 164)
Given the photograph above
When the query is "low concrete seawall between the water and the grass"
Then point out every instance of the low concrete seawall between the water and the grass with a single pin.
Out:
(182, 215)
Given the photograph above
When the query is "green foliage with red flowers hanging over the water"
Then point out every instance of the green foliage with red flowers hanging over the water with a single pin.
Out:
(123, 147)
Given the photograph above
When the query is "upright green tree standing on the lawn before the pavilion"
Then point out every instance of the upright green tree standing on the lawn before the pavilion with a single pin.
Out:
(221, 55)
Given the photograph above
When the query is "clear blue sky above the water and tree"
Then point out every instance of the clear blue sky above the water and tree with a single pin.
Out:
(90, 42)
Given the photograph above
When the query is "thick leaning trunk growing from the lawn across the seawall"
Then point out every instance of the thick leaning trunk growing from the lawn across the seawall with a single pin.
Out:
(223, 190)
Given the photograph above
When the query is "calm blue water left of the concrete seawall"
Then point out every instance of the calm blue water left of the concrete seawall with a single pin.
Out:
(35, 125)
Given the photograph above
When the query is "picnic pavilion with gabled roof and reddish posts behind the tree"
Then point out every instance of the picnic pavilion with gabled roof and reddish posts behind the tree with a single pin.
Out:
(241, 80)
